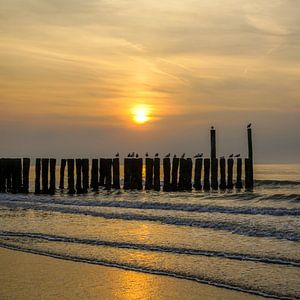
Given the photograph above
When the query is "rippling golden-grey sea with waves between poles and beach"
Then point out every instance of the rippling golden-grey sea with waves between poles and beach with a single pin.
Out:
(247, 241)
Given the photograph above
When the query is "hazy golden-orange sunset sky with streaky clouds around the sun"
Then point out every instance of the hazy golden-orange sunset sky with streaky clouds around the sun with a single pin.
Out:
(73, 72)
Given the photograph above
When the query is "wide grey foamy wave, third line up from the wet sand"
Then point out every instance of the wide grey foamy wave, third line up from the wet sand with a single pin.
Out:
(247, 229)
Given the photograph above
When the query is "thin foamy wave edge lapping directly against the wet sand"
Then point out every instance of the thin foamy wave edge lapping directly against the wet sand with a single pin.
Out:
(143, 269)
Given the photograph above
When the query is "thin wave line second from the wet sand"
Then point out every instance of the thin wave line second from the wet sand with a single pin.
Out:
(156, 248)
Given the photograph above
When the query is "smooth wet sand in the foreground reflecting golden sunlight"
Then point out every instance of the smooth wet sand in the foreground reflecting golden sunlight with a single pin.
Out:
(30, 276)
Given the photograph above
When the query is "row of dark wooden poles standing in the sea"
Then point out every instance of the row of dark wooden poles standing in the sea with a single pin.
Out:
(178, 174)
